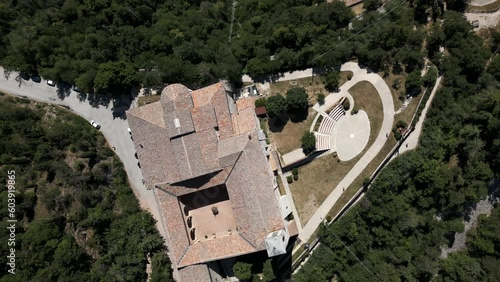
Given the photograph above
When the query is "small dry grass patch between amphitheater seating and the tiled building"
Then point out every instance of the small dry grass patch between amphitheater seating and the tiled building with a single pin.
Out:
(288, 139)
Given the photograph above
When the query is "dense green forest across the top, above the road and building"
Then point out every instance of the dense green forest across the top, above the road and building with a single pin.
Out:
(111, 45)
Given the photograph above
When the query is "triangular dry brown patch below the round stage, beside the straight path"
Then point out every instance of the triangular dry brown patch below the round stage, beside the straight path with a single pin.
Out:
(316, 181)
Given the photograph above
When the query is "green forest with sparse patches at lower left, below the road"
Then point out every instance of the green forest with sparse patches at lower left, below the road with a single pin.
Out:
(77, 217)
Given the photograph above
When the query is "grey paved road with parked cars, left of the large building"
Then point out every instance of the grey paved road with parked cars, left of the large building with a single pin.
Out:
(114, 129)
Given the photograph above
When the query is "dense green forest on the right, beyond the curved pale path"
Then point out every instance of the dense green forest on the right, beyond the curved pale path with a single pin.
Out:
(417, 203)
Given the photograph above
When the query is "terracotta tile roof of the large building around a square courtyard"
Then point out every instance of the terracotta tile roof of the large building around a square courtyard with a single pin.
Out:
(216, 144)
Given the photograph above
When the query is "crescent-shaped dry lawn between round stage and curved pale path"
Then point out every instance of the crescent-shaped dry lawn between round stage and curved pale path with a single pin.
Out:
(366, 98)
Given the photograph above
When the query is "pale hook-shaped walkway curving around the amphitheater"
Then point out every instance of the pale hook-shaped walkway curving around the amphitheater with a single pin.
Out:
(388, 107)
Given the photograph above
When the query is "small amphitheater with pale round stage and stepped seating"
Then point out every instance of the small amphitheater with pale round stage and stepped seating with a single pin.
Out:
(345, 134)
